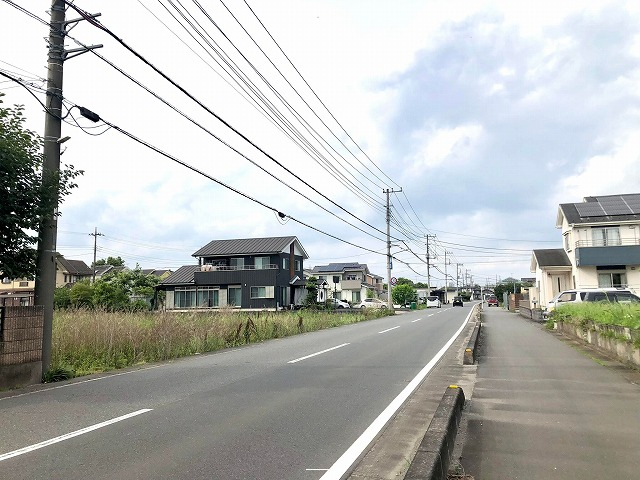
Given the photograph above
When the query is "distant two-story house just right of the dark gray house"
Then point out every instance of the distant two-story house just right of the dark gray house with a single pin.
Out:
(353, 280)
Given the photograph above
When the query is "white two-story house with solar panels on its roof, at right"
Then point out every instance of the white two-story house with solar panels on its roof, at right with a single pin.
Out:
(601, 247)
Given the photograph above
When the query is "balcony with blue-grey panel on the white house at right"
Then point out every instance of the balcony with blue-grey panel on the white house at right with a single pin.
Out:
(600, 253)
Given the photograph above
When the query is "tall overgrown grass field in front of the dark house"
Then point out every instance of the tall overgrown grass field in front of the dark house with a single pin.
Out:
(89, 341)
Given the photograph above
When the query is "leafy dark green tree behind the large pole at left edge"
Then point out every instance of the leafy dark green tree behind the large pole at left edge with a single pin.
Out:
(27, 196)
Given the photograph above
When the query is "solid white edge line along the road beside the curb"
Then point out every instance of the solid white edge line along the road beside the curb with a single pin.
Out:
(348, 458)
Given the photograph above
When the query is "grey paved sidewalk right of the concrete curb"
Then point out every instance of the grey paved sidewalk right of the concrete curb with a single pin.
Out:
(544, 410)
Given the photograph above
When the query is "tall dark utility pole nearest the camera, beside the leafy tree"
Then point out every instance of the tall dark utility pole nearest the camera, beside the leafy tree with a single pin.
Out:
(47, 232)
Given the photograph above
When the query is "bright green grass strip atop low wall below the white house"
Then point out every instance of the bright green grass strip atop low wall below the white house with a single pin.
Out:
(621, 314)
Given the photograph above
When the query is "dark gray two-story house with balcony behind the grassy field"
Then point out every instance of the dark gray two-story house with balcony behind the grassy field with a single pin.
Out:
(251, 273)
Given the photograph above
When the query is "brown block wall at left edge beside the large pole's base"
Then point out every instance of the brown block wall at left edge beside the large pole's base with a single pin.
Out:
(20, 345)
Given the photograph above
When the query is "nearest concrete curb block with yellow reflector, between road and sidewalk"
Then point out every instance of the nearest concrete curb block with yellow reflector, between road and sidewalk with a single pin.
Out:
(434, 453)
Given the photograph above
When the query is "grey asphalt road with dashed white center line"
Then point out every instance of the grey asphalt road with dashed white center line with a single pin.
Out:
(295, 408)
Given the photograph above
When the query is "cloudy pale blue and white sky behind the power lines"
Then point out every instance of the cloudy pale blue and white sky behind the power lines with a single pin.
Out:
(479, 117)
